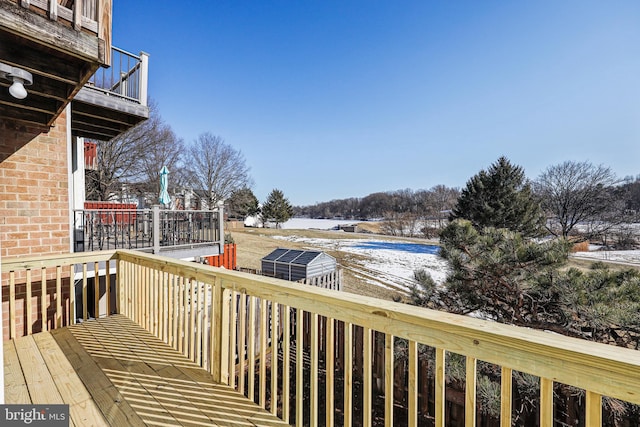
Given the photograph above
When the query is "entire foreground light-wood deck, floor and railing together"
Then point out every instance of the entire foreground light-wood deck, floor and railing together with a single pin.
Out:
(159, 341)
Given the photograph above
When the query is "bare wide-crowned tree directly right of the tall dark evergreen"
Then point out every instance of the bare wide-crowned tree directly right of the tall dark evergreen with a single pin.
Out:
(578, 194)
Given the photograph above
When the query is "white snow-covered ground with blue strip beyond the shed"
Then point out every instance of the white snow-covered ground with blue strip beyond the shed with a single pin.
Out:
(384, 263)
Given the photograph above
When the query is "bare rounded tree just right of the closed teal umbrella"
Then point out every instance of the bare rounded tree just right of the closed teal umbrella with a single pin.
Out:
(216, 168)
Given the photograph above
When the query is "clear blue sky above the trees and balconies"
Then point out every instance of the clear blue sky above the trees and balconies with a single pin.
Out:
(335, 99)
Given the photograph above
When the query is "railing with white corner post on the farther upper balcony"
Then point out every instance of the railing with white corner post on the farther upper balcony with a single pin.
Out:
(126, 78)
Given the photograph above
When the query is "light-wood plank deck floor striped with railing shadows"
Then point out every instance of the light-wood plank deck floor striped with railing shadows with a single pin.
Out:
(112, 372)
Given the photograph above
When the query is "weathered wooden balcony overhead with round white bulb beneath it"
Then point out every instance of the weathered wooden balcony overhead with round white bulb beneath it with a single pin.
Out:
(61, 43)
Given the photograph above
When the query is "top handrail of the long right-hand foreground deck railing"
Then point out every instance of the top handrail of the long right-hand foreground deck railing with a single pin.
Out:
(568, 360)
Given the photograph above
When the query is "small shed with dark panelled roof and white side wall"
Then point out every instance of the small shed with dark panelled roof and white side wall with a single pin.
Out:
(295, 264)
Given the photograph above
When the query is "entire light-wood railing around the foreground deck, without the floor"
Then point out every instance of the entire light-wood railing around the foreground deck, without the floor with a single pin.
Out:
(277, 342)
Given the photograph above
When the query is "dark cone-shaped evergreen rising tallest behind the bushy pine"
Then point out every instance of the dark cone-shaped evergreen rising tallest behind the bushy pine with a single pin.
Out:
(500, 197)
